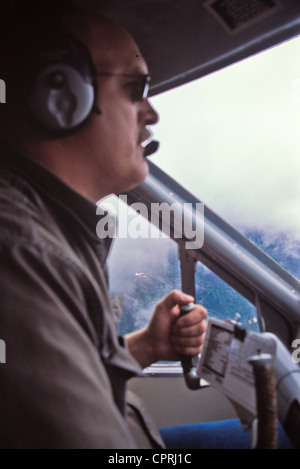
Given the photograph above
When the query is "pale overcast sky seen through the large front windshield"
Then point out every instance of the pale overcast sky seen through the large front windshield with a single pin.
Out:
(233, 139)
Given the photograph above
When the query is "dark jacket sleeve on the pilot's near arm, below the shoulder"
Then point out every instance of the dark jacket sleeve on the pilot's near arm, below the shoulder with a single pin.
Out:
(54, 392)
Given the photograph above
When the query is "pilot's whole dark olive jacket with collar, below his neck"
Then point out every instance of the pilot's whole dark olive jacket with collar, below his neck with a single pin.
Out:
(64, 381)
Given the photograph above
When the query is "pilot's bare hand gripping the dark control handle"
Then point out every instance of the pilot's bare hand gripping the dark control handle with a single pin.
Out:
(166, 336)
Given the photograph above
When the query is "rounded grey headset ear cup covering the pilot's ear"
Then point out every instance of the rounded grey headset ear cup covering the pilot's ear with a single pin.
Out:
(59, 83)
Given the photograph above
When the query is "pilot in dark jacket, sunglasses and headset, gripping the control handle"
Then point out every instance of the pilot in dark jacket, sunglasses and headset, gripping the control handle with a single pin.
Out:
(71, 133)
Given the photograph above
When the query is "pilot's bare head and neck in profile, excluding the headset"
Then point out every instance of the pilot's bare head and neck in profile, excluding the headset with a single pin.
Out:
(105, 155)
